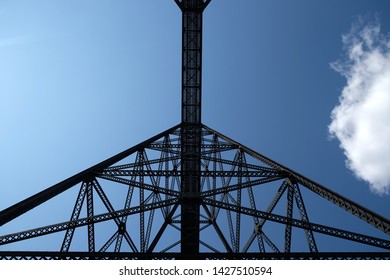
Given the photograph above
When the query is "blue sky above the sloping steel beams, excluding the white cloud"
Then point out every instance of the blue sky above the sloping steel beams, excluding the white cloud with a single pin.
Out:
(83, 80)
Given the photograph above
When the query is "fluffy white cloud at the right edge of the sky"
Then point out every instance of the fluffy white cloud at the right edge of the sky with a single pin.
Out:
(361, 121)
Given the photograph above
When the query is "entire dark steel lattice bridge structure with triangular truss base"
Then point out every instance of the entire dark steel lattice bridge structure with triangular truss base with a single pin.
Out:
(192, 193)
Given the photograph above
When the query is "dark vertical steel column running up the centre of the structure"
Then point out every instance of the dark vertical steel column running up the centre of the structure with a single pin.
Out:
(191, 122)
